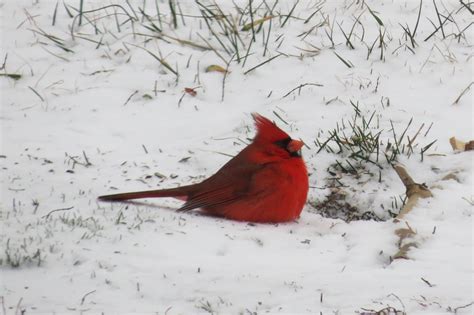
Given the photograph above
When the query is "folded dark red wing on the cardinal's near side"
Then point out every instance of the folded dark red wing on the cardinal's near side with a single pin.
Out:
(226, 186)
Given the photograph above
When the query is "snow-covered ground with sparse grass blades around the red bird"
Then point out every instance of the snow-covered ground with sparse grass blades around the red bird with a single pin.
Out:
(102, 109)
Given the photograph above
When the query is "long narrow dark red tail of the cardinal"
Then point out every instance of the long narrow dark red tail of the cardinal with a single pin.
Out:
(178, 192)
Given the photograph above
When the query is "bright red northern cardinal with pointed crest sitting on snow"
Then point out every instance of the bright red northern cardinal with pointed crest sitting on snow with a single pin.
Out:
(266, 182)
